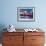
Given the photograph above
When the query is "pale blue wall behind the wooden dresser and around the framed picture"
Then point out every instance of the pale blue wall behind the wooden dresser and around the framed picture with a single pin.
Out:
(8, 13)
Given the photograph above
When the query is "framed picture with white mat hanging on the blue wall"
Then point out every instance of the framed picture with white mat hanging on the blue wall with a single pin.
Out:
(26, 14)
